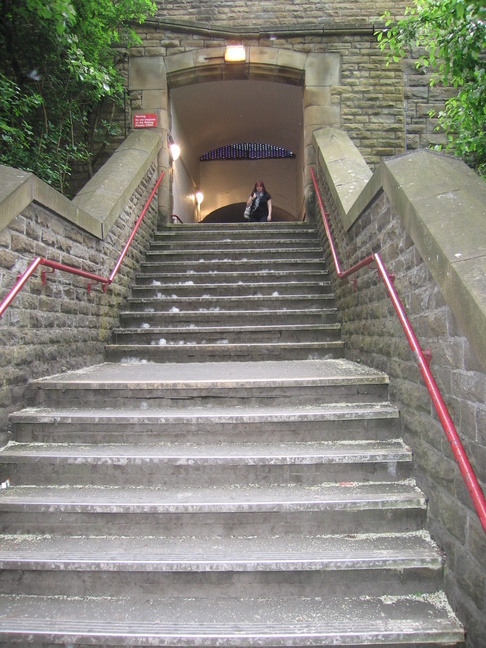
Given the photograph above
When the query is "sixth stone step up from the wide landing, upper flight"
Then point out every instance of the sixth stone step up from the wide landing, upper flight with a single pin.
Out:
(234, 278)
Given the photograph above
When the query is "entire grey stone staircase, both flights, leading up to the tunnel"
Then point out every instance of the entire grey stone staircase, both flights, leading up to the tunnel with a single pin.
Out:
(238, 484)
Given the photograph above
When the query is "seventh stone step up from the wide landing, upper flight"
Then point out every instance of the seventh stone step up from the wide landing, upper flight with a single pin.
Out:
(255, 266)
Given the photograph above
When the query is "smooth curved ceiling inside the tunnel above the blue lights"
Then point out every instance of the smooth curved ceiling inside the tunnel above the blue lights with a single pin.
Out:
(216, 113)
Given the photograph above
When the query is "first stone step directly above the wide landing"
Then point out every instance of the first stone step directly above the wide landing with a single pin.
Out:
(224, 351)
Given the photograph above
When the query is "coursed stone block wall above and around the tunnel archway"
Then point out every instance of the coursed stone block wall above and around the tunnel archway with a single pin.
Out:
(383, 109)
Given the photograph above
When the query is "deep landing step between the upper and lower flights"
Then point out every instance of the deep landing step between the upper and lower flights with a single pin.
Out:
(269, 383)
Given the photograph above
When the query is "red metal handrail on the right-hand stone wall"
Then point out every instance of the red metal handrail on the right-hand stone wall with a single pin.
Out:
(457, 448)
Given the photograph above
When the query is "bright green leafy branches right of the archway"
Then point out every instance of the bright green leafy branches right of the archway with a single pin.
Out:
(451, 37)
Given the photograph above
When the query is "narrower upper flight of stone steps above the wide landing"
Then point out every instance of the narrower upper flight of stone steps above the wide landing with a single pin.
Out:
(219, 292)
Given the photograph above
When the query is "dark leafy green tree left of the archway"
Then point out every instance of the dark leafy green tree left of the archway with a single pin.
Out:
(59, 72)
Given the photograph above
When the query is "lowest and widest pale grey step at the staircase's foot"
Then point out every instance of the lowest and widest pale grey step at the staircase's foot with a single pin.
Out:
(408, 621)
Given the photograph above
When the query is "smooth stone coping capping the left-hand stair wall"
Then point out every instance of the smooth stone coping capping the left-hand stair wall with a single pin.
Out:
(97, 206)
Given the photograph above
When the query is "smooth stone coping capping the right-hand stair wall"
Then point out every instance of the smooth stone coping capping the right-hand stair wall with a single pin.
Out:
(441, 204)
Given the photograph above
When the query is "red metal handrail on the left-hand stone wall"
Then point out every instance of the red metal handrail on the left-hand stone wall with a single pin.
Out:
(22, 280)
